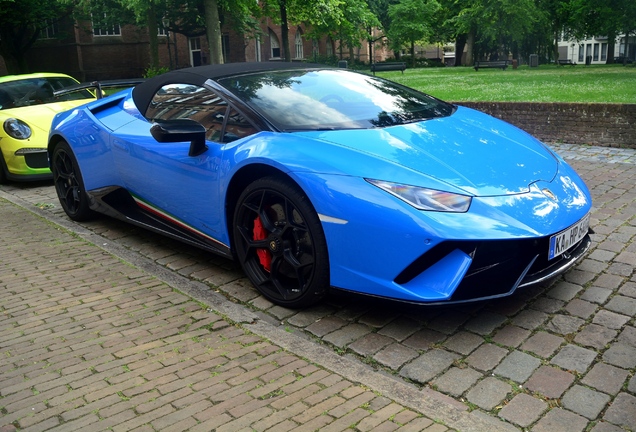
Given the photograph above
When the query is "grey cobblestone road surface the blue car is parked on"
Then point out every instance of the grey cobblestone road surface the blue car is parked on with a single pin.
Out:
(561, 357)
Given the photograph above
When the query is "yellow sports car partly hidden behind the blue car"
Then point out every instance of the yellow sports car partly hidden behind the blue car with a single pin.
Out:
(27, 107)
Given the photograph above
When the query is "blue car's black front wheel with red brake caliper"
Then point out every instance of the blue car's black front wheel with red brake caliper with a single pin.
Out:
(280, 243)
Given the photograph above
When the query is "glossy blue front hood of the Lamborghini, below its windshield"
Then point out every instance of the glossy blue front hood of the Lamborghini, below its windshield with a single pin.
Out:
(470, 150)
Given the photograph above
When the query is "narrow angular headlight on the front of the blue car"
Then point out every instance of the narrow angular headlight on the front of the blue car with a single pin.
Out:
(426, 199)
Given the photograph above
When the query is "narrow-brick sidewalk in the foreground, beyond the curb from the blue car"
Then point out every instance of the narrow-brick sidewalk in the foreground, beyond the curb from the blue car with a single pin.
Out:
(90, 341)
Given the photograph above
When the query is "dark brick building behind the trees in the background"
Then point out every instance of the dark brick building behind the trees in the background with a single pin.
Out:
(87, 53)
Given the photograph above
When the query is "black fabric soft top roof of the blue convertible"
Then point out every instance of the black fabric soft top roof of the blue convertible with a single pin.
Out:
(144, 92)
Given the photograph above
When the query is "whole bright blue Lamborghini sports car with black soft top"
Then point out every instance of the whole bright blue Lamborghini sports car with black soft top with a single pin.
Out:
(315, 178)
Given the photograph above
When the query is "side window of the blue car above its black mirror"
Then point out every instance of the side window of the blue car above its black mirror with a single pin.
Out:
(176, 101)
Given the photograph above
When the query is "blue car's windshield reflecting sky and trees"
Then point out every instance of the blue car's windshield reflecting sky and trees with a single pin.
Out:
(333, 99)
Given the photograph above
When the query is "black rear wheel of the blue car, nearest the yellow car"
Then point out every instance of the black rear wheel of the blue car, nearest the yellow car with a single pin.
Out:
(69, 184)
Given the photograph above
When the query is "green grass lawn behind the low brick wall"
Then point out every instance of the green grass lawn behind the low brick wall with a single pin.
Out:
(546, 83)
